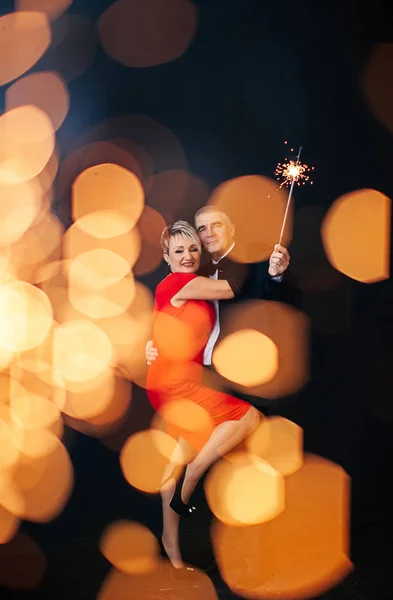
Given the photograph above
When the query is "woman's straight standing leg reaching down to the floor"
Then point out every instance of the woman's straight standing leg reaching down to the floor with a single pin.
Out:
(170, 534)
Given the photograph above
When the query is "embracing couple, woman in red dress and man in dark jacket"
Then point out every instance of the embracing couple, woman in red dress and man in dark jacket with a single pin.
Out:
(182, 295)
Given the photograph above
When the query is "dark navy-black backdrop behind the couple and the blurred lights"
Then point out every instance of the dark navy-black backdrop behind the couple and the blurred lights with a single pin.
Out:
(256, 74)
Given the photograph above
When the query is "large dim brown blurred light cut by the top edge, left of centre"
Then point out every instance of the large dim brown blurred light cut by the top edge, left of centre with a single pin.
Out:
(128, 31)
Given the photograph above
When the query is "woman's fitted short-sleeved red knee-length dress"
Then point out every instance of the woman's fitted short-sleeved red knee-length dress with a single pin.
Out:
(180, 335)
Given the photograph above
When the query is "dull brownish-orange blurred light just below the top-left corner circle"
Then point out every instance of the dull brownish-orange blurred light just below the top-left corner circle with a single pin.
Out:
(46, 91)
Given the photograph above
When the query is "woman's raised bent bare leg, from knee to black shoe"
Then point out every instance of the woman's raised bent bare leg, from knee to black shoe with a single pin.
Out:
(223, 439)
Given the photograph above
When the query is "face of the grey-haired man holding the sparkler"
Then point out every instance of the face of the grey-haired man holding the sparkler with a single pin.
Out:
(215, 231)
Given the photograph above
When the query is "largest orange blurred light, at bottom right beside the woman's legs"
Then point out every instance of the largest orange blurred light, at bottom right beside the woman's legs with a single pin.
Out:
(300, 554)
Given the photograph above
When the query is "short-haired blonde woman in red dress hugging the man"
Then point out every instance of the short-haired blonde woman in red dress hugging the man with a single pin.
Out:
(182, 299)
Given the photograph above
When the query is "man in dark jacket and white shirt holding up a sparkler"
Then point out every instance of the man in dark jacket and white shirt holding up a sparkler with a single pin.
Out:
(256, 281)
